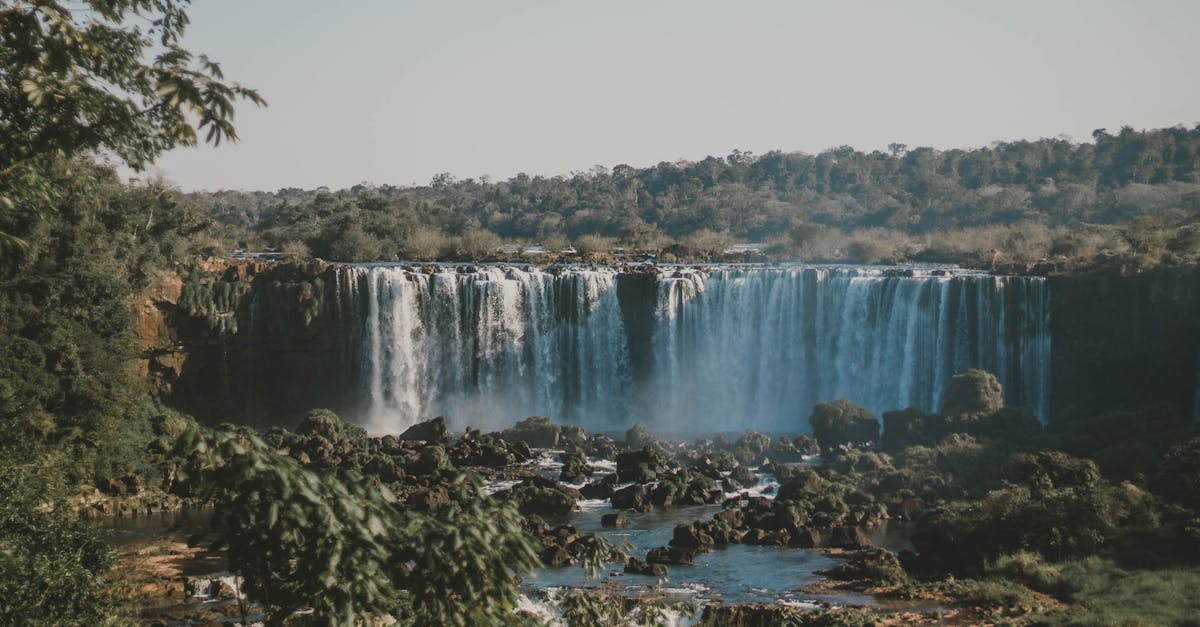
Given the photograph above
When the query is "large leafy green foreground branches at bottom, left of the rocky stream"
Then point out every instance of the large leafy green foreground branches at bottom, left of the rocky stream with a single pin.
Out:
(340, 545)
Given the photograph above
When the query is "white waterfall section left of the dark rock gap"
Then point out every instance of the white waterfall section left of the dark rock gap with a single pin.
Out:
(491, 344)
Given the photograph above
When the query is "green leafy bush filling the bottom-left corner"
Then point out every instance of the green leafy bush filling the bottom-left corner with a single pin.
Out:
(51, 560)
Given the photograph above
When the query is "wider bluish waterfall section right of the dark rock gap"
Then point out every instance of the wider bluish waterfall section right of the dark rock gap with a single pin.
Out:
(761, 348)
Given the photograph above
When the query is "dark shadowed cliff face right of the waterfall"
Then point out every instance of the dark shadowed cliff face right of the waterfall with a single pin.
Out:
(1123, 343)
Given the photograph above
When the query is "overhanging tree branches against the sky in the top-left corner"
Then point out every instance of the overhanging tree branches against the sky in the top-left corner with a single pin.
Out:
(103, 76)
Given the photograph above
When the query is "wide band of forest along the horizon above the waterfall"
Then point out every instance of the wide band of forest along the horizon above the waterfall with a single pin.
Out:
(1019, 201)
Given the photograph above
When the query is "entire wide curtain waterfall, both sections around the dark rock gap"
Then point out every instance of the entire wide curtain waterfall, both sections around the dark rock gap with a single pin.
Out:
(729, 349)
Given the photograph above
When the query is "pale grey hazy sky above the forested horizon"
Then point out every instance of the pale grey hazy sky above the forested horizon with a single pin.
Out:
(387, 92)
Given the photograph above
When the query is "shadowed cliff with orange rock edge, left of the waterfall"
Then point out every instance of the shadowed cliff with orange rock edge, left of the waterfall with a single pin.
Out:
(245, 342)
